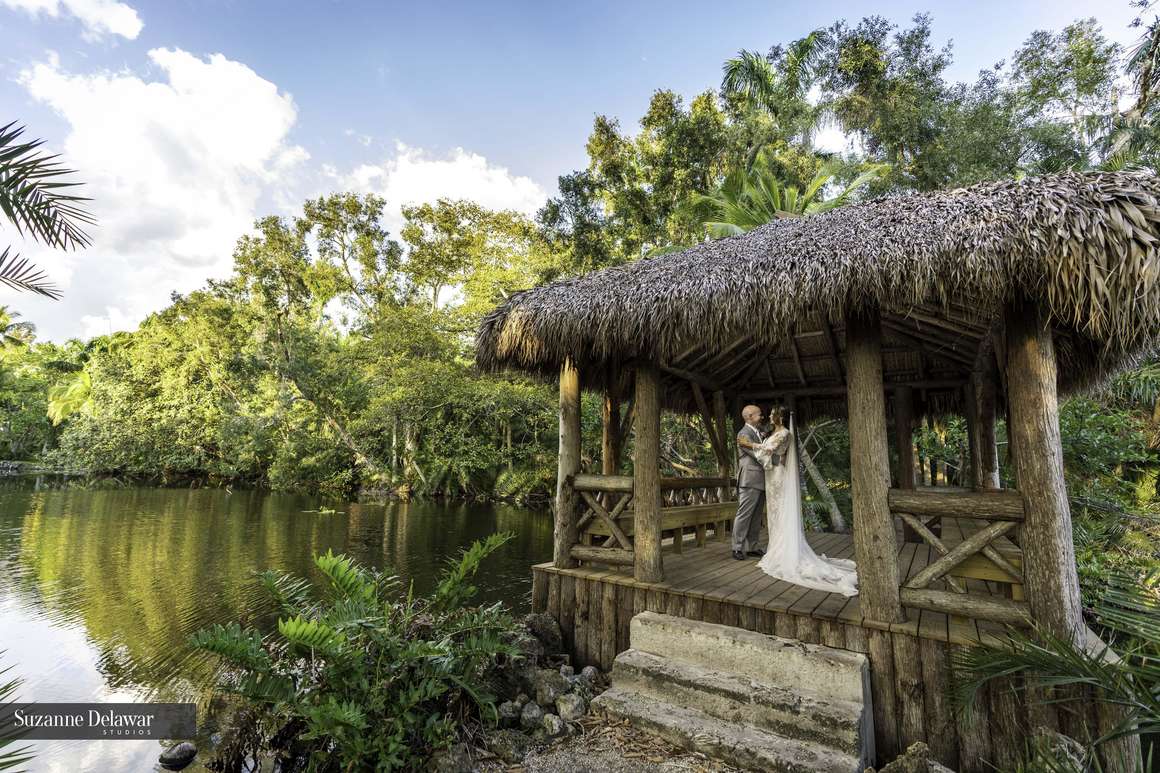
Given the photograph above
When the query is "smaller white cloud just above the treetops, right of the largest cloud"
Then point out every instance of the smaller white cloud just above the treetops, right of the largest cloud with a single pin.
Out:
(414, 176)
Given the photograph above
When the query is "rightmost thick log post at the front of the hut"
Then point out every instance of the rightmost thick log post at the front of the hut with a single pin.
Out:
(1049, 555)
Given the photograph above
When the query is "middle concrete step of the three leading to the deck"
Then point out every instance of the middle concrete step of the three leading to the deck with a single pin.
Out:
(788, 713)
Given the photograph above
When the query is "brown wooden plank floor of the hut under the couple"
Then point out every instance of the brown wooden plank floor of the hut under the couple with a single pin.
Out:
(710, 575)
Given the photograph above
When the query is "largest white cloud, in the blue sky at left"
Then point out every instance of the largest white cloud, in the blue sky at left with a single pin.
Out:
(177, 170)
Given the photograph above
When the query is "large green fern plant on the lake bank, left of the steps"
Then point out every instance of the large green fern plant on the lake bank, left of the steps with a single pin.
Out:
(365, 675)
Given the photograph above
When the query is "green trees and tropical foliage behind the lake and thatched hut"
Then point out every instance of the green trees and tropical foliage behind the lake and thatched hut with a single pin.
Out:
(337, 356)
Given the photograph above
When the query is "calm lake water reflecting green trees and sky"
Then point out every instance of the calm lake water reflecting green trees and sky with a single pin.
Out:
(100, 590)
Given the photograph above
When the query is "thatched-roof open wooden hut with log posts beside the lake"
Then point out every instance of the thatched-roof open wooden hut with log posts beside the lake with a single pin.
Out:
(988, 301)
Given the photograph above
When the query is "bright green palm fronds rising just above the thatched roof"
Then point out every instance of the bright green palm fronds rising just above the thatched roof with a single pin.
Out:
(749, 199)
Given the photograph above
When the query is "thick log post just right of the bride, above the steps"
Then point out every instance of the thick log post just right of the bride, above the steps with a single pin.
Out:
(875, 546)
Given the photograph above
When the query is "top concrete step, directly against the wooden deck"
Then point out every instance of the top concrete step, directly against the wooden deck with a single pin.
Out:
(826, 673)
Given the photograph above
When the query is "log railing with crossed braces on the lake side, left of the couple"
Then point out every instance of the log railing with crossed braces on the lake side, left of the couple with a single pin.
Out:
(605, 526)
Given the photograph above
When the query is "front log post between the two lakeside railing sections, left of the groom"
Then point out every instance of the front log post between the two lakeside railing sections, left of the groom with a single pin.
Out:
(647, 478)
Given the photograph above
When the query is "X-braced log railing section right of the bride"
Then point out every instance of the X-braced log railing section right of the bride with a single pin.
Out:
(922, 510)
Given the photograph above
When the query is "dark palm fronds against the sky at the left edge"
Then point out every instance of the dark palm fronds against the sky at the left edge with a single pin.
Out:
(35, 197)
